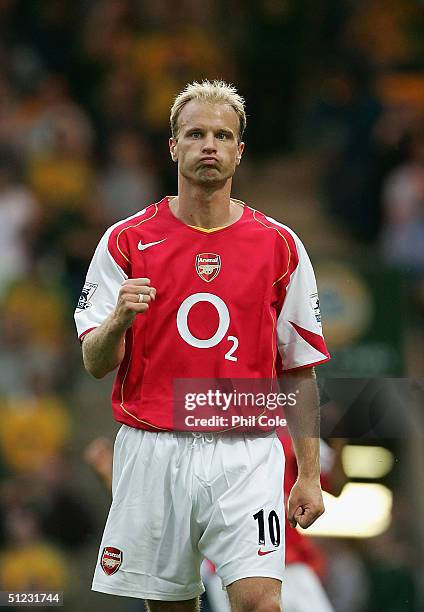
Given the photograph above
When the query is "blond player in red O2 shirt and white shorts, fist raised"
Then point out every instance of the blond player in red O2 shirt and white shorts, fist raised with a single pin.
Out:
(201, 286)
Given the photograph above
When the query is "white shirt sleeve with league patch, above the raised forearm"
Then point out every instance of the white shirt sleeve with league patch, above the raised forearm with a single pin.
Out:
(100, 291)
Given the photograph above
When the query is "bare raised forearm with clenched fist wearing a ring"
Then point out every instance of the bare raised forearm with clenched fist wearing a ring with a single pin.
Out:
(103, 348)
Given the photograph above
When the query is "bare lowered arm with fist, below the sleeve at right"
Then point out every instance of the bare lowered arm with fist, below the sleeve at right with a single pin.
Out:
(305, 503)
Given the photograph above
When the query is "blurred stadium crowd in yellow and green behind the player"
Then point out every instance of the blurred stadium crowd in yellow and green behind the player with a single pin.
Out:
(335, 149)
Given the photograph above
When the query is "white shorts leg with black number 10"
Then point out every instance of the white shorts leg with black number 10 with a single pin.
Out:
(244, 533)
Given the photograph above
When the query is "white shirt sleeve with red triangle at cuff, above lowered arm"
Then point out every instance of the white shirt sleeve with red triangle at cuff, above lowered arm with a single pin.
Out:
(299, 330)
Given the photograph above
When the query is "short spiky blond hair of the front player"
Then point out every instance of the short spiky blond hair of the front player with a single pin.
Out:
(215, 92)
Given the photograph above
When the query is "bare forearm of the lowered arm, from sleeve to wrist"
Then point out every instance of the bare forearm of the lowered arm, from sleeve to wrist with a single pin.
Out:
(303, 422)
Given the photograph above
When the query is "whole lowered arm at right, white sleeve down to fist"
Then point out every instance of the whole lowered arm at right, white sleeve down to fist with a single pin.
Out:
(301, 347)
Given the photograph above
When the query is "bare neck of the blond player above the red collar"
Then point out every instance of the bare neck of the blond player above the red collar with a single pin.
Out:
(205, 208)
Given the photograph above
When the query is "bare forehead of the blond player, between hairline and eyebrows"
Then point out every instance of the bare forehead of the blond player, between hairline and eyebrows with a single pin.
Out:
(204, 114)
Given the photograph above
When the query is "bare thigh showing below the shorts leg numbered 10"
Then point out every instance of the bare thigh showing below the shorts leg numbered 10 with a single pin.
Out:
(255, 594)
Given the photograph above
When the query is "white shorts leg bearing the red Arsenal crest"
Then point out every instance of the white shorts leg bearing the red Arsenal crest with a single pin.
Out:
(149, 546)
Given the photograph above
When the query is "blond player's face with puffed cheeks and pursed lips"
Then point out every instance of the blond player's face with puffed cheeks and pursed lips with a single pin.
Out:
(207, 149)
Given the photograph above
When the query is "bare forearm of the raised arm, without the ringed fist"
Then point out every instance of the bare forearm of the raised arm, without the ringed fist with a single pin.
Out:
(103, 348)
